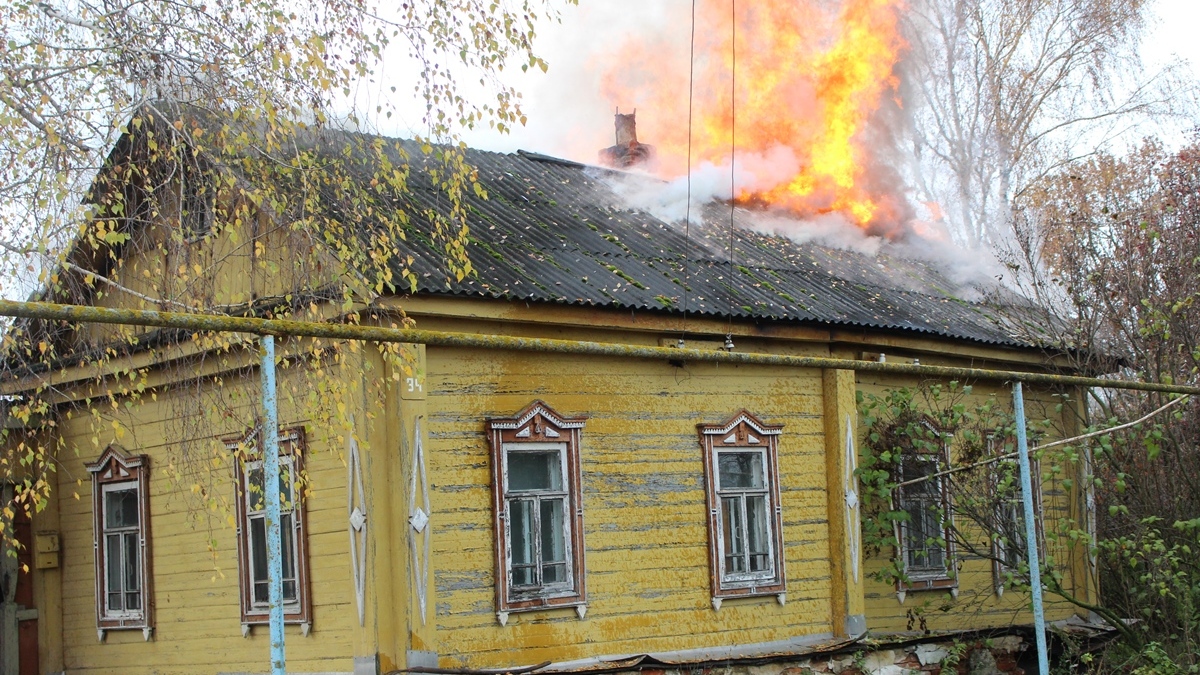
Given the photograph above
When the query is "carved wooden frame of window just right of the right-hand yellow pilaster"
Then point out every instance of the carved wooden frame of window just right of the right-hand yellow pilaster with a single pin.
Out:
(947, 580)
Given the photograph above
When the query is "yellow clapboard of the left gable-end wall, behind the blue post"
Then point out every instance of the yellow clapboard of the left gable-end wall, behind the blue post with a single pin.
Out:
(199, 628)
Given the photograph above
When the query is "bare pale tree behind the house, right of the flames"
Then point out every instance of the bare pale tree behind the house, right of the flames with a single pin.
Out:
(1005, 92)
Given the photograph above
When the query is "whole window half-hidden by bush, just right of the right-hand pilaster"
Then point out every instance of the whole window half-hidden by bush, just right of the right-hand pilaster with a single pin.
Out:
(927, 554)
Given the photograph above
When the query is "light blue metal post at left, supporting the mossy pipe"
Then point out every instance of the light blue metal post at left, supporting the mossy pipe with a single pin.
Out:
(272, 494)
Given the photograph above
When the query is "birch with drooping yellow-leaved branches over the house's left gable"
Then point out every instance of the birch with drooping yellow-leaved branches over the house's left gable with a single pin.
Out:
(251, 101)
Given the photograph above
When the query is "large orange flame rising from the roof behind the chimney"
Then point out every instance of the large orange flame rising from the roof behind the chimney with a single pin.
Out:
(808, 81)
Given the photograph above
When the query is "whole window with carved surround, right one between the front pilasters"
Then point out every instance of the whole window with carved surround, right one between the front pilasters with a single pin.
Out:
(746, 519)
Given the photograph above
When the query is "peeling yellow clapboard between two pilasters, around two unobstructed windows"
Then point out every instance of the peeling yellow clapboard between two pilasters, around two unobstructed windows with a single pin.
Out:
(644, 500)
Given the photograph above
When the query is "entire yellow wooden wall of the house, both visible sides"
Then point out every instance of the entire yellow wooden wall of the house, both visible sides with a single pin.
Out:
(644, 499)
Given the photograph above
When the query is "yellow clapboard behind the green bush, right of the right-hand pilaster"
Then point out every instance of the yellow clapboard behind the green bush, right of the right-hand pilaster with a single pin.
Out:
(977, 605)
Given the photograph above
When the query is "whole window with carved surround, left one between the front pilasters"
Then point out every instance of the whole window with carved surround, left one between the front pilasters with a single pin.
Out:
(539, 517)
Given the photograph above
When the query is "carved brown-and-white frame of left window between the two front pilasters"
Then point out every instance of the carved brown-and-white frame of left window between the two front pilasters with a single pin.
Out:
(538, 428)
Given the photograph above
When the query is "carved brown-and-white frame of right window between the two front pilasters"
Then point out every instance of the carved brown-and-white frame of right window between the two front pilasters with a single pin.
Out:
(743, 432)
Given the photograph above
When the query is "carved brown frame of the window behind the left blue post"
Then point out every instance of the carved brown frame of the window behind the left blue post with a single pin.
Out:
(292, 450)
